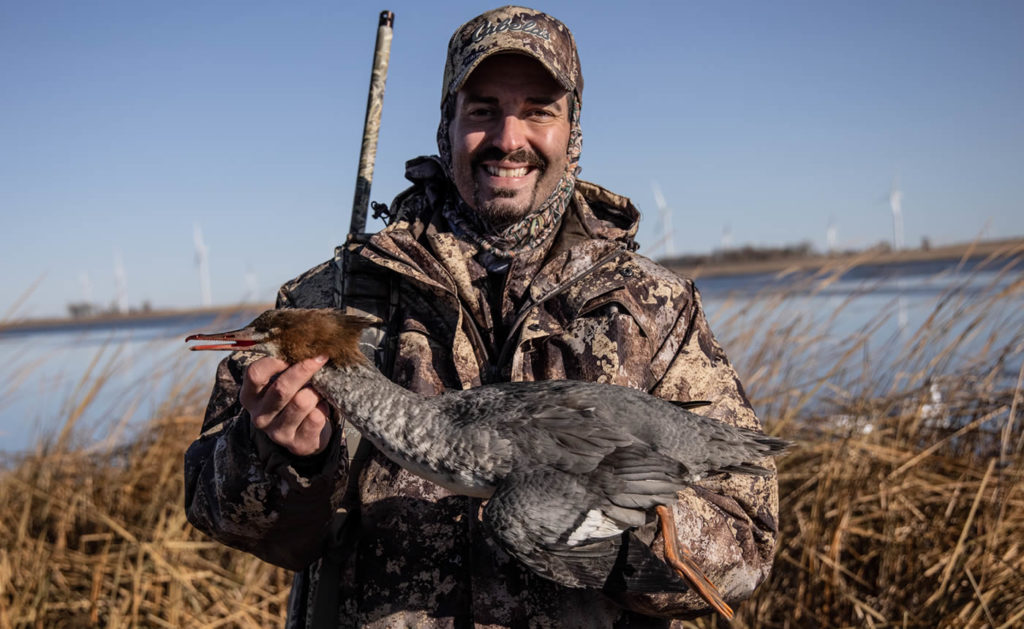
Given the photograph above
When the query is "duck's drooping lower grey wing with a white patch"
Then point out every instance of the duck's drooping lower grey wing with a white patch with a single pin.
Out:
(564, 528)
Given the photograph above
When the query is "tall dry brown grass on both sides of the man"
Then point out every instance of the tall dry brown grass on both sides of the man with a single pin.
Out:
(898, 510)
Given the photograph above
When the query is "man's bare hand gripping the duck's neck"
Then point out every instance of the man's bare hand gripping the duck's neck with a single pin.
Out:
(282, 405)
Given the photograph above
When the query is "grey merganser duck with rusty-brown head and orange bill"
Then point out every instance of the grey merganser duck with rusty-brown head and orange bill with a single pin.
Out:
(570, 469)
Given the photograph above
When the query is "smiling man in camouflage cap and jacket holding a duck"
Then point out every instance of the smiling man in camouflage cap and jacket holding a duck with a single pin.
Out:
(498, 266)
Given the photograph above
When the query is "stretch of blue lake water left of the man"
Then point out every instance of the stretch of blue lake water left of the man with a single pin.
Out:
(118, 373)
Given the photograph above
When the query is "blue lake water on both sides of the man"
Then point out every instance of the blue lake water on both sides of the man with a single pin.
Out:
(137, 366)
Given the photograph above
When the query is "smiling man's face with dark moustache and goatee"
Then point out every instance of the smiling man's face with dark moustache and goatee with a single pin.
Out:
(509, 135)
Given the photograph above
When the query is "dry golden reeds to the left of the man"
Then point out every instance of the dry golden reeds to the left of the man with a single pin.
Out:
(95, 535)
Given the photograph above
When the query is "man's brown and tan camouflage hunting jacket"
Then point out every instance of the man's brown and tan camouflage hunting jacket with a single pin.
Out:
(391, 550)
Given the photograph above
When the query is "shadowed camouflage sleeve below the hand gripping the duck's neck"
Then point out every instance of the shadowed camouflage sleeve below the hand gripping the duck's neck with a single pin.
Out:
(247, 492)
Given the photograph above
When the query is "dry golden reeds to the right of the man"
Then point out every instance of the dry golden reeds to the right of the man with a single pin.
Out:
(903, 505)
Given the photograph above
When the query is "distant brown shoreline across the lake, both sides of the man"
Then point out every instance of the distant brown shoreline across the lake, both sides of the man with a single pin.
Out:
(709, 269)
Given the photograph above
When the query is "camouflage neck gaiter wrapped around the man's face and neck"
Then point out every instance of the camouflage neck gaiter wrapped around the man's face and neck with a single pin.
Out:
(531, 232)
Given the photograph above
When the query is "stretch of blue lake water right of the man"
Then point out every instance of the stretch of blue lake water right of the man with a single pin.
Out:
(875, 329)
